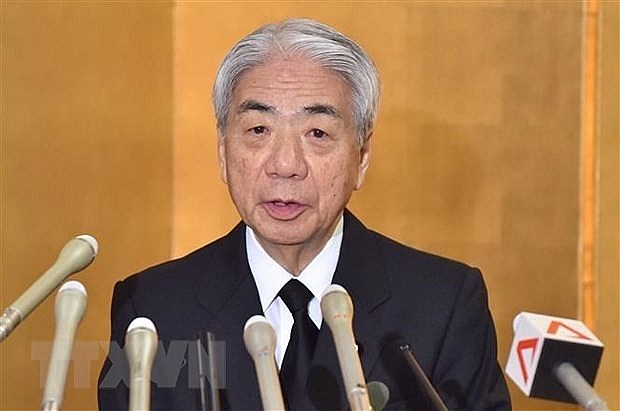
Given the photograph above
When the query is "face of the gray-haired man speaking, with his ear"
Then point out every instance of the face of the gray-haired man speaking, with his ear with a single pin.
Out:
(289, 153)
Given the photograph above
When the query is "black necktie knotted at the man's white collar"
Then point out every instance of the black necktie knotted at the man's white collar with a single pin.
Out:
(296, 363)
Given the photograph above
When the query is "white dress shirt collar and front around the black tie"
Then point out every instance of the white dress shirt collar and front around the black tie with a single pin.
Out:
(270, 277)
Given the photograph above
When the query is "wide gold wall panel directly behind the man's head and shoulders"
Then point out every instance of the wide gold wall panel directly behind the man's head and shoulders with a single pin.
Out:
(476, 151)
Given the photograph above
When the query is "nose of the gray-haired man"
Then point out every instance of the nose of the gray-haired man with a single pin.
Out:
(287, 158)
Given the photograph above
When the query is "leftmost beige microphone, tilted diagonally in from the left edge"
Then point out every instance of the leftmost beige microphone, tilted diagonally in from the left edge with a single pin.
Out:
(75, 256)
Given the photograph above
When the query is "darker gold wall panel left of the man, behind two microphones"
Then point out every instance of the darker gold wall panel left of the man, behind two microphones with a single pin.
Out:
(86, 147)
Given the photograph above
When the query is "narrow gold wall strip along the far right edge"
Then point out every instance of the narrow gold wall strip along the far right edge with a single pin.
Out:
(608, 305)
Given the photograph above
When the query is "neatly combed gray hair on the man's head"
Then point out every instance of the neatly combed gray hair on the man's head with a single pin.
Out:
(316, 41)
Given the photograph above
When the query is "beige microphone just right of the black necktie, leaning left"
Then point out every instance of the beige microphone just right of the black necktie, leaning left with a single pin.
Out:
(337, 309)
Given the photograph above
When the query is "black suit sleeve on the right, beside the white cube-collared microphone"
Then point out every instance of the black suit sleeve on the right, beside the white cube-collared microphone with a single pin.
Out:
(467, 374)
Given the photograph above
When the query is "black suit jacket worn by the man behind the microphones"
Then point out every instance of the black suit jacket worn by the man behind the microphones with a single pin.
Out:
(400, 295)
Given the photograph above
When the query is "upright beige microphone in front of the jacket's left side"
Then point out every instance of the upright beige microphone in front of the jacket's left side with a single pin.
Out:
(141, 346)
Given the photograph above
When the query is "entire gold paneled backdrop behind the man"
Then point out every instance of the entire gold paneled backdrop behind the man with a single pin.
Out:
(107, 128)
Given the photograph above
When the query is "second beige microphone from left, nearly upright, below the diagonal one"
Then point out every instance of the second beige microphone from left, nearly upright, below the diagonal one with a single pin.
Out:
(69, 310)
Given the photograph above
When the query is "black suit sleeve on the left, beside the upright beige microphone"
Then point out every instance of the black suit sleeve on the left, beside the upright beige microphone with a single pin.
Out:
(113, 392)
